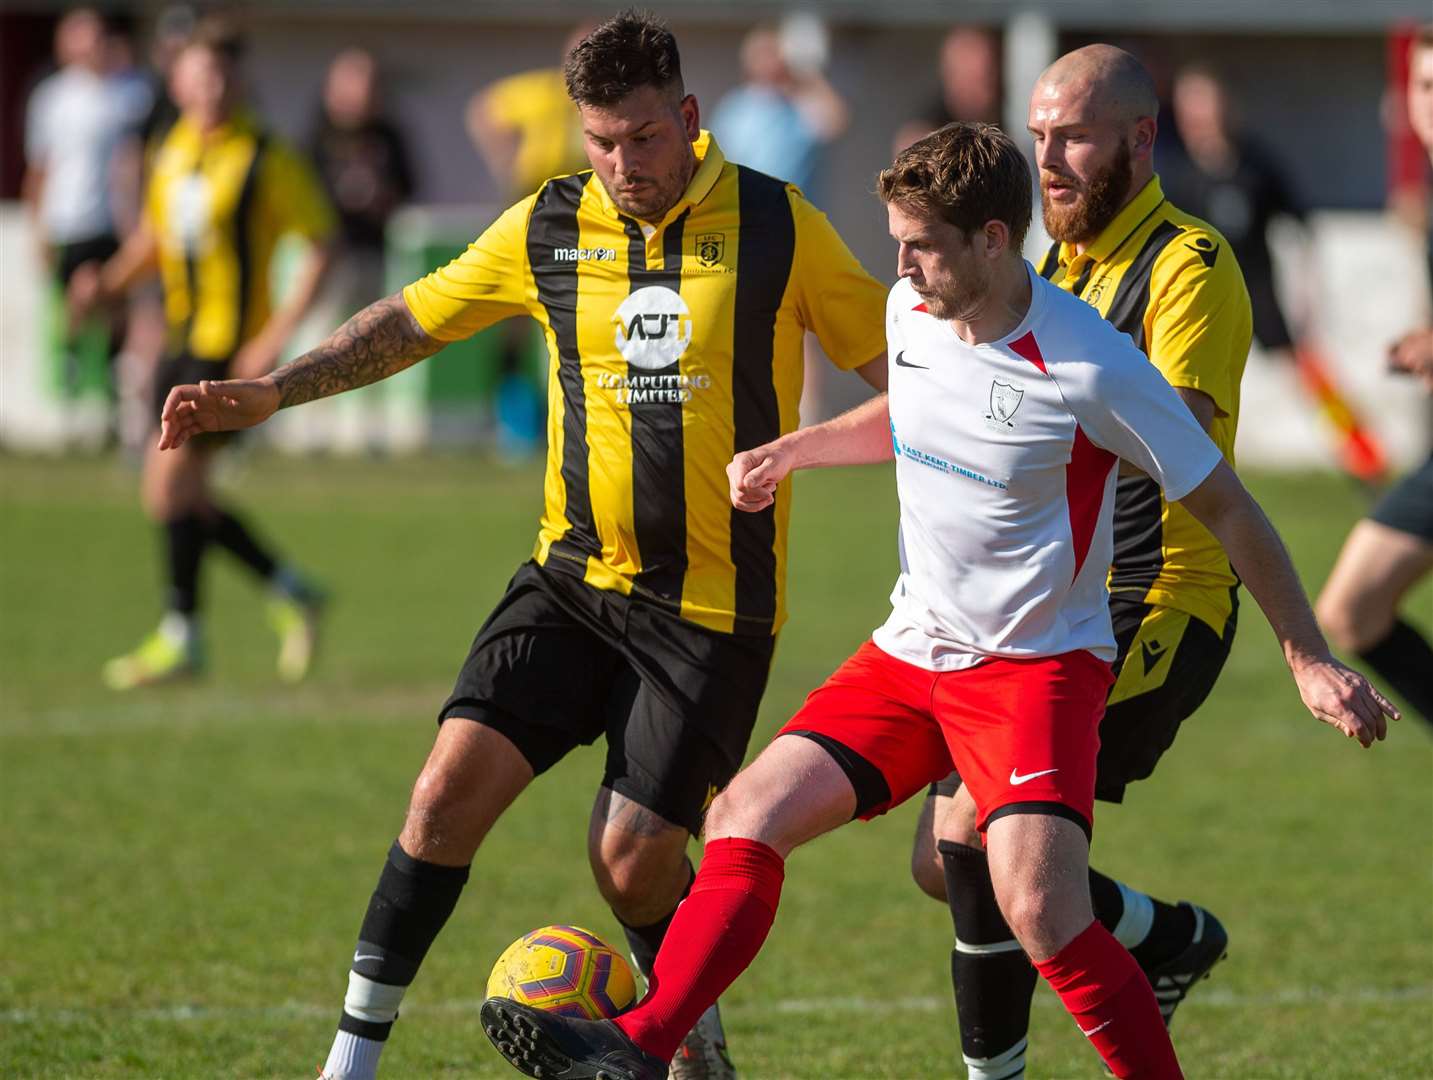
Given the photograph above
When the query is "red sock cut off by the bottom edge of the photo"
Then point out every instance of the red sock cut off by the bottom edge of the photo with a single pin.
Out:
(1110, 998)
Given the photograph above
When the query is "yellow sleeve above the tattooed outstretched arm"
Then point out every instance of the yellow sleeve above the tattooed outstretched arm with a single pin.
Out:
(484, 286)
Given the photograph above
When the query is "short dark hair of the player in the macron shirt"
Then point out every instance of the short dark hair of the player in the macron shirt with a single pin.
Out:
(630, 51)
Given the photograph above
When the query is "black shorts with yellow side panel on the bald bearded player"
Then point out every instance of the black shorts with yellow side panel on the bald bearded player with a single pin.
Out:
(1169, 662)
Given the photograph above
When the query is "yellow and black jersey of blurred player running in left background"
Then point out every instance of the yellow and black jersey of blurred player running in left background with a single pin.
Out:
(219, 204)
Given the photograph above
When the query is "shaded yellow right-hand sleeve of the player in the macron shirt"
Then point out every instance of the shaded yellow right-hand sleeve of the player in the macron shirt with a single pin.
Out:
(838, 300)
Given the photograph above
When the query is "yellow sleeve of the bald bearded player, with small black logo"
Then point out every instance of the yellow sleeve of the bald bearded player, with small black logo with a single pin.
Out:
(1199, 323)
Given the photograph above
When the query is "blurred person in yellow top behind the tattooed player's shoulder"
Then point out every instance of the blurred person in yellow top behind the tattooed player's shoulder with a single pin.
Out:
(527, 131)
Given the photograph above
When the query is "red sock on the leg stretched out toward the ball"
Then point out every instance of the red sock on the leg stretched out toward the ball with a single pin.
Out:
(716, 933)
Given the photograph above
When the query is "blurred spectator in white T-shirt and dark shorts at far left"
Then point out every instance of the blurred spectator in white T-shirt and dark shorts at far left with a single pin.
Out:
(75, 125)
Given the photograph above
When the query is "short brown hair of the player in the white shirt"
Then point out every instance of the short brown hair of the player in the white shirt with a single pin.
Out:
(965, 174)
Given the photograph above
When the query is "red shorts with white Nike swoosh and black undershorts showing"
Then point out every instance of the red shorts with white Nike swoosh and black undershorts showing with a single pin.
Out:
(1022, 734)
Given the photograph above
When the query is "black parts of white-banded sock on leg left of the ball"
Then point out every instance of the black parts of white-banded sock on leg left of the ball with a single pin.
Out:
(406, 913)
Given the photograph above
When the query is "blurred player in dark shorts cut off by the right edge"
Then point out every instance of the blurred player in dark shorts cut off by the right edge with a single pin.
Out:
(1392, 549)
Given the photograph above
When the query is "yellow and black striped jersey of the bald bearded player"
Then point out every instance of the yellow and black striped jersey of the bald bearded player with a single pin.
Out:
(1171, 283)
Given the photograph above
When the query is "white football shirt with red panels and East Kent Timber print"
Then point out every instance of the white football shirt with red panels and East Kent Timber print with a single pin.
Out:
(1007, 459)
